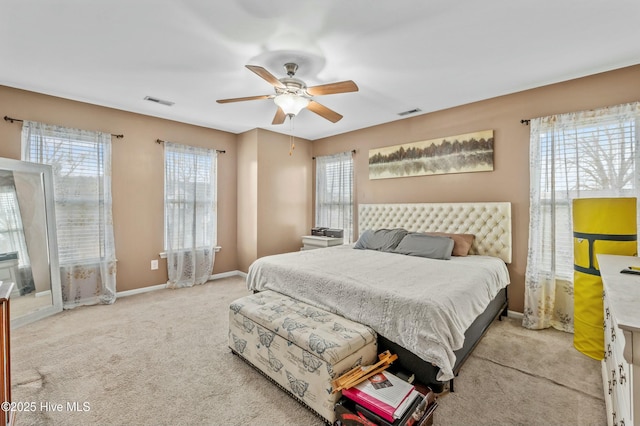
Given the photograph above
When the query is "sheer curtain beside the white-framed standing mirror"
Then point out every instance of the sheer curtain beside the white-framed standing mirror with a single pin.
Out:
(81, 164)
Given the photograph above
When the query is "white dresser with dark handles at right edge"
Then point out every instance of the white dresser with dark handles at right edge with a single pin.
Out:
(621, 363)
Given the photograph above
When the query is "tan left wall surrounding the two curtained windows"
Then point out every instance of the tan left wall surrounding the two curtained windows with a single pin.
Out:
(137, 181)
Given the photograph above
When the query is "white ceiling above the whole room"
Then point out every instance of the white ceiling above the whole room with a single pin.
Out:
(403, 54)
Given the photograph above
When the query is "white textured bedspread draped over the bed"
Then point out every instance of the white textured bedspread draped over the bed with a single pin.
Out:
(424, 305)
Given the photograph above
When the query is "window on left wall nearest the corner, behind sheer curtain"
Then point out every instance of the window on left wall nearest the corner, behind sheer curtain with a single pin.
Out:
(190, 197)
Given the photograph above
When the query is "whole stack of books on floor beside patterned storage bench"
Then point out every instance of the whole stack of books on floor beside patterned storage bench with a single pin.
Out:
(386, 400)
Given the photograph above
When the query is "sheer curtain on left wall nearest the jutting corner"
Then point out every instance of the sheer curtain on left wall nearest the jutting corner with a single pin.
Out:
(190, 213)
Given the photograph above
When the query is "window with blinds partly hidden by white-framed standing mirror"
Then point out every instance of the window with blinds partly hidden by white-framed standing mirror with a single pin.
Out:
(81, 165)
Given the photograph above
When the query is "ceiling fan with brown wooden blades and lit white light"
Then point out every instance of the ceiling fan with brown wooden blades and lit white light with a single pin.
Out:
(292, 94)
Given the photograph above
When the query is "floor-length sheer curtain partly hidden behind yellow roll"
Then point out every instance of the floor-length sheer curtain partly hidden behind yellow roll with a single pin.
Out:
(577, 155)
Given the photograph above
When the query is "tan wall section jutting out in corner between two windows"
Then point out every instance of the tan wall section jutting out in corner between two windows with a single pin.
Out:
(275, 193)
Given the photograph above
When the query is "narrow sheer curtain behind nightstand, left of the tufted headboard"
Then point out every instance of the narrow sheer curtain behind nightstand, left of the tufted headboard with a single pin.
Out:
(334, 192)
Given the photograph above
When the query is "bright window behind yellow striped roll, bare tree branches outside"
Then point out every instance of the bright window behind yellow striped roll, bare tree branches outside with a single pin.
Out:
(589, 160)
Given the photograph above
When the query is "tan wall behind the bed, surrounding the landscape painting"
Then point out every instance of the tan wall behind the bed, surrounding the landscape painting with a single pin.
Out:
(510, 179)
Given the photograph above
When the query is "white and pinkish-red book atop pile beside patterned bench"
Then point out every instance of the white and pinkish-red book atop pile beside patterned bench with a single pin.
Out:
(384, 394)
